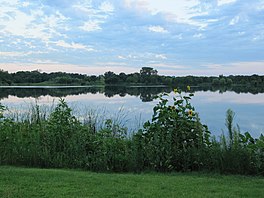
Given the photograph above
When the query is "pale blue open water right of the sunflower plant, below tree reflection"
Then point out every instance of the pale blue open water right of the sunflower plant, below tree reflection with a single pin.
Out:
(248, 110)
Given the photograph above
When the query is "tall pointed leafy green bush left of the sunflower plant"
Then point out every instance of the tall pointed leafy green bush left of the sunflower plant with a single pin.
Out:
(57, 140)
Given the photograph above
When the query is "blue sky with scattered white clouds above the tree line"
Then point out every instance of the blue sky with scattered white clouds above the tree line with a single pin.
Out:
(176, 37)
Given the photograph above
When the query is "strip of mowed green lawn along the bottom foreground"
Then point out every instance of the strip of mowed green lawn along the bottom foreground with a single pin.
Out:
(29, 182)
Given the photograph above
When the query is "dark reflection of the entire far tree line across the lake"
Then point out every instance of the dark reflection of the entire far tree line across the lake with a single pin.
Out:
(145, 93)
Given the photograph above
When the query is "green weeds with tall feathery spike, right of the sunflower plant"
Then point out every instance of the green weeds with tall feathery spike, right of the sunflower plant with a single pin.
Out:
(237, 152)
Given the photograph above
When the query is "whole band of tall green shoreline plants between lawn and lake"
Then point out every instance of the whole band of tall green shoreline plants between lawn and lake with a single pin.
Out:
(174, 140)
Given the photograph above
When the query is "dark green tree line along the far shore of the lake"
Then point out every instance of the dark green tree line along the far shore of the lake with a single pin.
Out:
(146, 76)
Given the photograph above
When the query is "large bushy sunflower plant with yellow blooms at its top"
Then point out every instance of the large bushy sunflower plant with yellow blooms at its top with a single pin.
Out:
(174, 136)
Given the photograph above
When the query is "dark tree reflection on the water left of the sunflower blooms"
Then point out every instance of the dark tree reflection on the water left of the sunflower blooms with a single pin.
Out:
(146, 94)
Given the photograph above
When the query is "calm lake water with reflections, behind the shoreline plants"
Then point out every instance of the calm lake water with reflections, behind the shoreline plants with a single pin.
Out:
(132, 106)
